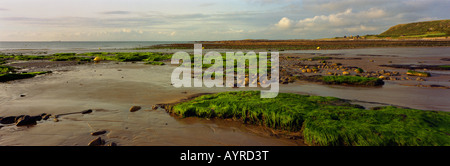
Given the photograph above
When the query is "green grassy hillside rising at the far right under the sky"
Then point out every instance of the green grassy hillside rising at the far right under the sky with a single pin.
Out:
(438, 28)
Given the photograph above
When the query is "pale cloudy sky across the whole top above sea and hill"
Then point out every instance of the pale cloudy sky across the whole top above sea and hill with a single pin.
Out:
(198, 20)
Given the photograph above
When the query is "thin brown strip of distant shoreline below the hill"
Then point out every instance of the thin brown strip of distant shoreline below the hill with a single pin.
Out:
(307, 44)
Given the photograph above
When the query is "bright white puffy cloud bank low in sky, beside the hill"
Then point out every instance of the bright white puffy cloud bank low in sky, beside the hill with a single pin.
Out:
(345, 22)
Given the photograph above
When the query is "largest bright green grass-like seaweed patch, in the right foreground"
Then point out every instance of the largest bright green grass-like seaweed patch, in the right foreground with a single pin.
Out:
(327, 121)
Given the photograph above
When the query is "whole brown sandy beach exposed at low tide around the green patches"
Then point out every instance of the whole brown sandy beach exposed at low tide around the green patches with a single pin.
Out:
(111, 88)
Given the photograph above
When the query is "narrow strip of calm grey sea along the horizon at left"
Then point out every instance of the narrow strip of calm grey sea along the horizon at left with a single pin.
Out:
(61, 45)
